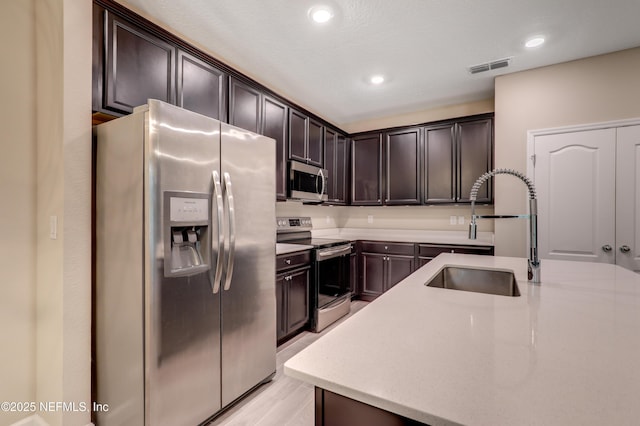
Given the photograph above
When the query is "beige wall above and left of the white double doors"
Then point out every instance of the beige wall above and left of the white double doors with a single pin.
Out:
(597, 89)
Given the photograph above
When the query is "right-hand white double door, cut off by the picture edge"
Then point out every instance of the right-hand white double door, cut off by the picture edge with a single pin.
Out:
(628, 198)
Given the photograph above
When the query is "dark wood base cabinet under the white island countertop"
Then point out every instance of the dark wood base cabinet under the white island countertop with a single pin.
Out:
(337, 410)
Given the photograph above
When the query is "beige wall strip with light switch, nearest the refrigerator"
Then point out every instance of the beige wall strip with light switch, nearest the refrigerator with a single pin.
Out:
(63, 52)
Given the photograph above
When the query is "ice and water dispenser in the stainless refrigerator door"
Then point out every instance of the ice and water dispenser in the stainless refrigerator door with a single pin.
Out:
(187, 247)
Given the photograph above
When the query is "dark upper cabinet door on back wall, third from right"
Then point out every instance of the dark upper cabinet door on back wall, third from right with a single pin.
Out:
(402, 167)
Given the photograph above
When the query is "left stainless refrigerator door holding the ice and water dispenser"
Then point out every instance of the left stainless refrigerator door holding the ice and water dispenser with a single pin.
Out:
(182, 315)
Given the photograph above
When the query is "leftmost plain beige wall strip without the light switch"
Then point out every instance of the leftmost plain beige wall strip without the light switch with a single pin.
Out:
(17, 205)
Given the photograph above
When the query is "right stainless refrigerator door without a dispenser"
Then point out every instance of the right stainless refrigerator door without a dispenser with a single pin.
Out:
(248, 305)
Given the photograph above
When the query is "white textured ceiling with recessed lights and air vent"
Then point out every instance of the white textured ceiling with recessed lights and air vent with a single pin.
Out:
(423, 47)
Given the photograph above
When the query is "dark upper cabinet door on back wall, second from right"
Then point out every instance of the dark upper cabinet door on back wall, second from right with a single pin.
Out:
(439, 164)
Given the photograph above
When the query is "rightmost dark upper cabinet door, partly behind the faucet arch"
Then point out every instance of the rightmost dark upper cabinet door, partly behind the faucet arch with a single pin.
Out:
(475, 157)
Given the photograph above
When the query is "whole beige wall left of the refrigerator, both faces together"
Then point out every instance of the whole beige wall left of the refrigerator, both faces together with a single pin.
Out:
(45, 309)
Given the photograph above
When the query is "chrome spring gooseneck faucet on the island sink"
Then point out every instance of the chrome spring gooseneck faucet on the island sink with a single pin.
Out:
(533, 270)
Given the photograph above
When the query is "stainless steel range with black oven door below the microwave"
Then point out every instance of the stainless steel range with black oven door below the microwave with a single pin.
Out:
(330, 291)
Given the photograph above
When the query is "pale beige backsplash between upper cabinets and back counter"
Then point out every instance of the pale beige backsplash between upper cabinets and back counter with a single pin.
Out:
(387, 217)
